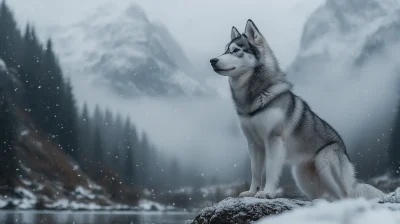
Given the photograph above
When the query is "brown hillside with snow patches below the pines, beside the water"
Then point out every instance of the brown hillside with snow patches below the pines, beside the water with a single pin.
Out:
(46, 177)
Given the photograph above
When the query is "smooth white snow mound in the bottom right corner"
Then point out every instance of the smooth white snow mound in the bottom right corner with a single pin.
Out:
(349, 211)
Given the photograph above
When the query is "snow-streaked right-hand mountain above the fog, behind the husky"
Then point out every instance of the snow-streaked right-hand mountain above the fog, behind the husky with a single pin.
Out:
(346, 32)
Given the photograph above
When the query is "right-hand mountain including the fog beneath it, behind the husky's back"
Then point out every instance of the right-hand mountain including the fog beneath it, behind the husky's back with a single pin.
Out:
(348, 51)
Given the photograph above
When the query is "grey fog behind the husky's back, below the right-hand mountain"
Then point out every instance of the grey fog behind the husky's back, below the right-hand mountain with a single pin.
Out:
(356, 101)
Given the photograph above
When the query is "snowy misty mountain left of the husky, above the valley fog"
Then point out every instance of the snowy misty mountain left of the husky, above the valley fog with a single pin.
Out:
(123, 50)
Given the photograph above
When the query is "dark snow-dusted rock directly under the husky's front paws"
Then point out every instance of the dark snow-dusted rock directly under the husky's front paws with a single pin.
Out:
(244, 210)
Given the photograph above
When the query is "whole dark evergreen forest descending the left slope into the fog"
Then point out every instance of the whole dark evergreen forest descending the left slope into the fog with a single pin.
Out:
(97, 140)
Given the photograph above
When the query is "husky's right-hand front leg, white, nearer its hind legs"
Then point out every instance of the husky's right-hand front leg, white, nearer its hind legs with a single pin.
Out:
(275, 158)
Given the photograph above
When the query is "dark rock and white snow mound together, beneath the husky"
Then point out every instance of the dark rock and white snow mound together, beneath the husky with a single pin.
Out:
(264, 211)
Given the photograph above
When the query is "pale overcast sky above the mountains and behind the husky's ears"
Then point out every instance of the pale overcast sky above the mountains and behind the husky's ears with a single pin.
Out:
(202, 27)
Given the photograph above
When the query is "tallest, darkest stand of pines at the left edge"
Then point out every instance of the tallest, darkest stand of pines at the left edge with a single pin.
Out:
(46, 96)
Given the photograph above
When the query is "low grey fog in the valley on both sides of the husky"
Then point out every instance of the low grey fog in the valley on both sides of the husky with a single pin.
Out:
(359, 103)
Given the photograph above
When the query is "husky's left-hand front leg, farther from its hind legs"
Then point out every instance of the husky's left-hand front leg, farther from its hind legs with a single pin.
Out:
(257, 155)
